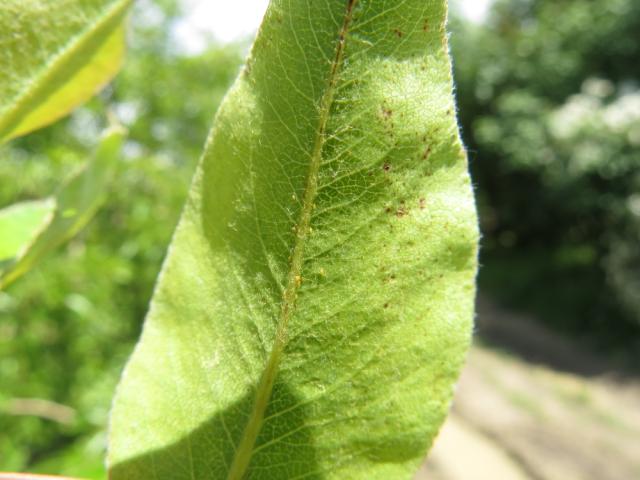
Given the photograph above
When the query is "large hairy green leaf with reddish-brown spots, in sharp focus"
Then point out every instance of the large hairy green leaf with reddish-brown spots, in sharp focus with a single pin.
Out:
(316, 303)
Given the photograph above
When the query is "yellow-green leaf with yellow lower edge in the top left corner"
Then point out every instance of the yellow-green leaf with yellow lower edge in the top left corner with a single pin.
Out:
(55, 55)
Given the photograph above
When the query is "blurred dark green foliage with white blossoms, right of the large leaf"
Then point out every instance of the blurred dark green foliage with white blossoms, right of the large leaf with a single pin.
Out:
(549, 98)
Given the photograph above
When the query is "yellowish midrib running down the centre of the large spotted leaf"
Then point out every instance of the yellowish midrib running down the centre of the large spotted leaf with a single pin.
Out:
(245, 447)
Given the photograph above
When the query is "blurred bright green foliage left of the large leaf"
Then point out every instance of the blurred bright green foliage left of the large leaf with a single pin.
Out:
(68, 327)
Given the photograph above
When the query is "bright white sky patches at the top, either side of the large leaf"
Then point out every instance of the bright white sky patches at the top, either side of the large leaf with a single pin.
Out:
(228, 20)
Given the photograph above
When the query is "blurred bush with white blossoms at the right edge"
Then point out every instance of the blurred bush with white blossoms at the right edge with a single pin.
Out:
(597, 133)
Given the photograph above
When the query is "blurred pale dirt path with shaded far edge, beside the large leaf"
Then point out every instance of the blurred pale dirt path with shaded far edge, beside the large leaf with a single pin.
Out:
(556, 414)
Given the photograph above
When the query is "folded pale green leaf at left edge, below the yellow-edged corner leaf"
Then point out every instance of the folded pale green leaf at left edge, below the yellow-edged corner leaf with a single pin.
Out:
(60, 217)
